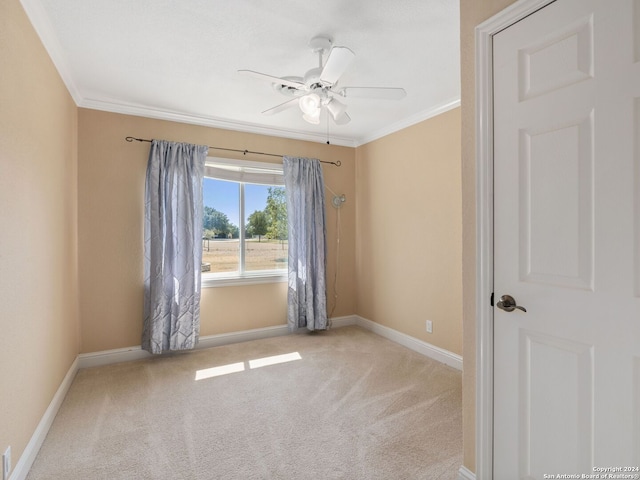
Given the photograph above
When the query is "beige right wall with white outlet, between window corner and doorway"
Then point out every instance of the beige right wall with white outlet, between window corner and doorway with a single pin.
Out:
(408, 234)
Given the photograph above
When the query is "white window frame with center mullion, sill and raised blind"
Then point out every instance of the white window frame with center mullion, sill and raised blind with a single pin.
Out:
(242, 172)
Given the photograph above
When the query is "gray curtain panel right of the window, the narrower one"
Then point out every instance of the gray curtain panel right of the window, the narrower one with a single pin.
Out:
(307, 294)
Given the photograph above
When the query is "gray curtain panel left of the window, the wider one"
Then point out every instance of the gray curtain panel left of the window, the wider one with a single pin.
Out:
(173, 246)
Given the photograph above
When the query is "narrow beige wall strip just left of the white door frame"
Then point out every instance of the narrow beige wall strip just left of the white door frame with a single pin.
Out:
(472, 13)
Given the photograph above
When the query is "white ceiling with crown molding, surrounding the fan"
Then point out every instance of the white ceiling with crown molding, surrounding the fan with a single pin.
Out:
(178, 59)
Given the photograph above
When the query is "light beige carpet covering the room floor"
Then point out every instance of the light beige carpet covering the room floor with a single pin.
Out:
(354, 406)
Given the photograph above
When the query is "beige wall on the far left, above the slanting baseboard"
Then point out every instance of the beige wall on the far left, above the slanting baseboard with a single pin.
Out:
(38, 244)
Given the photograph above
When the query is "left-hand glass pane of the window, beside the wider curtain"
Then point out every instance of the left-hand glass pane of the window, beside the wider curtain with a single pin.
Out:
(220, 235)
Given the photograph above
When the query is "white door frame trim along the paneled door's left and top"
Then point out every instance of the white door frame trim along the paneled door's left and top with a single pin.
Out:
(484, 223)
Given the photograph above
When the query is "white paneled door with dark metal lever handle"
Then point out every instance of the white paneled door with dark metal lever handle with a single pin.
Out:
(567, 240)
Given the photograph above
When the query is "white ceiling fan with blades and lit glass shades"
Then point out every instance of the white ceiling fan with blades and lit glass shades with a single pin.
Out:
(319, 86)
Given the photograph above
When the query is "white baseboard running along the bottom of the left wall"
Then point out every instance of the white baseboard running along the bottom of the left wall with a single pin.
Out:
(27, 458)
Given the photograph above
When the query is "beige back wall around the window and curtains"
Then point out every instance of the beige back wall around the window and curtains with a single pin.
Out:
(111, 193)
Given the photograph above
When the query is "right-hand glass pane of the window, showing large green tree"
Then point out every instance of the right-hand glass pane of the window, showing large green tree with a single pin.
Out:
(265, 227)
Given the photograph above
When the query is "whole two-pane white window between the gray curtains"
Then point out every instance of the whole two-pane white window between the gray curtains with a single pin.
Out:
(244, 236)
